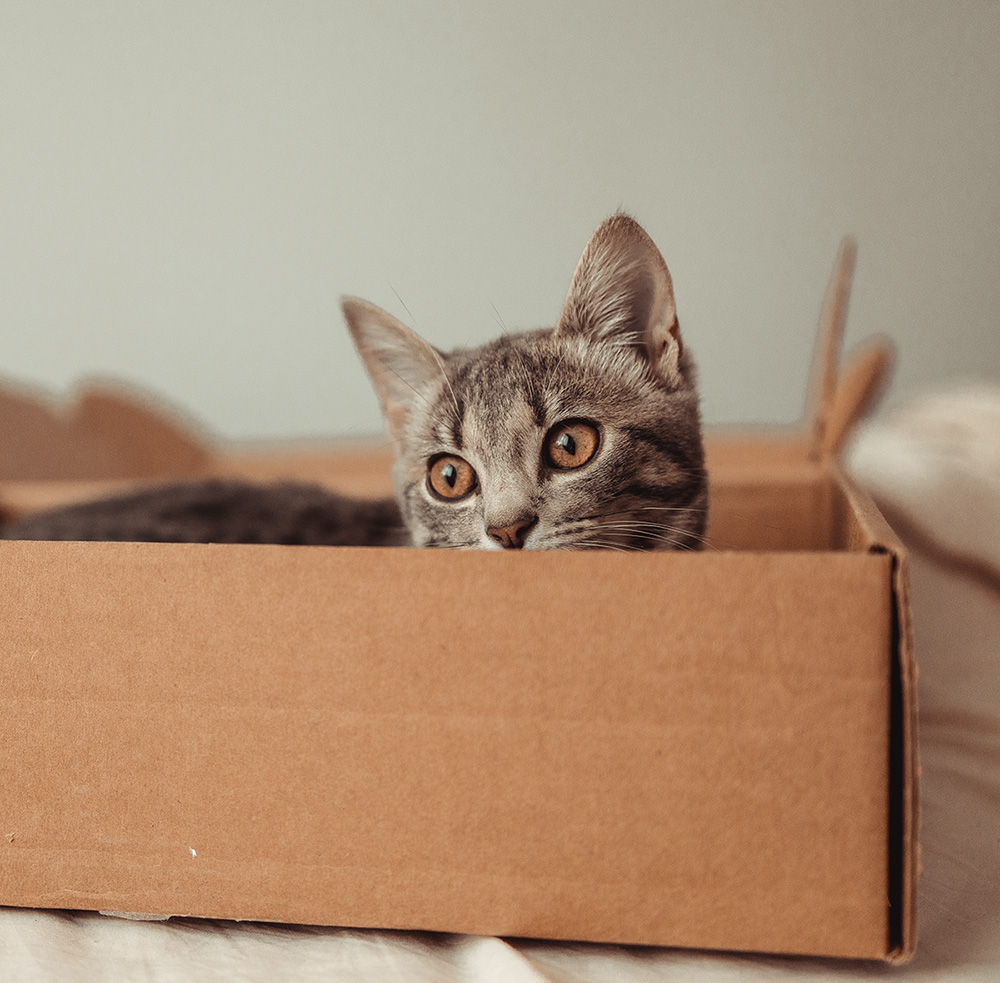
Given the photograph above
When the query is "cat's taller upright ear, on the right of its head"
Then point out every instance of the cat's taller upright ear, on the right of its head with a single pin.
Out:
(622, 293)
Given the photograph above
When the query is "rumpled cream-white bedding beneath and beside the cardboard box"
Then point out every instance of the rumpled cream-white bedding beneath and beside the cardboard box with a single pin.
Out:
(936, 466)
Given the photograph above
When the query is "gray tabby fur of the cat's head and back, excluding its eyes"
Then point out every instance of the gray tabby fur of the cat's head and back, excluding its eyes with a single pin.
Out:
(615, 360)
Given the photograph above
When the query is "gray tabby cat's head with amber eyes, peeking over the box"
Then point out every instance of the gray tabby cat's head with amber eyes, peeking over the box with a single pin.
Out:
(582, 436)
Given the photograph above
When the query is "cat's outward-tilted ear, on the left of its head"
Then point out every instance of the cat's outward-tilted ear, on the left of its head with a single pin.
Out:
(402, 366)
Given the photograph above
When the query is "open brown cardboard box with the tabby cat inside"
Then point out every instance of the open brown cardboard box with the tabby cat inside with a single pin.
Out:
(711, 750)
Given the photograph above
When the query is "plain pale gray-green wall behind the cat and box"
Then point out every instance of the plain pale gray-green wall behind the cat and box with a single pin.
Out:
(186, 188)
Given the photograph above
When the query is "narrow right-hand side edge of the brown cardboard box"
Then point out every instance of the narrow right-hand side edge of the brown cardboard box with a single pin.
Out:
(904, 764)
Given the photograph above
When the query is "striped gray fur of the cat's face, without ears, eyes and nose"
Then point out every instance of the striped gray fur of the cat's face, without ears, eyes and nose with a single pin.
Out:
(645, 489)
